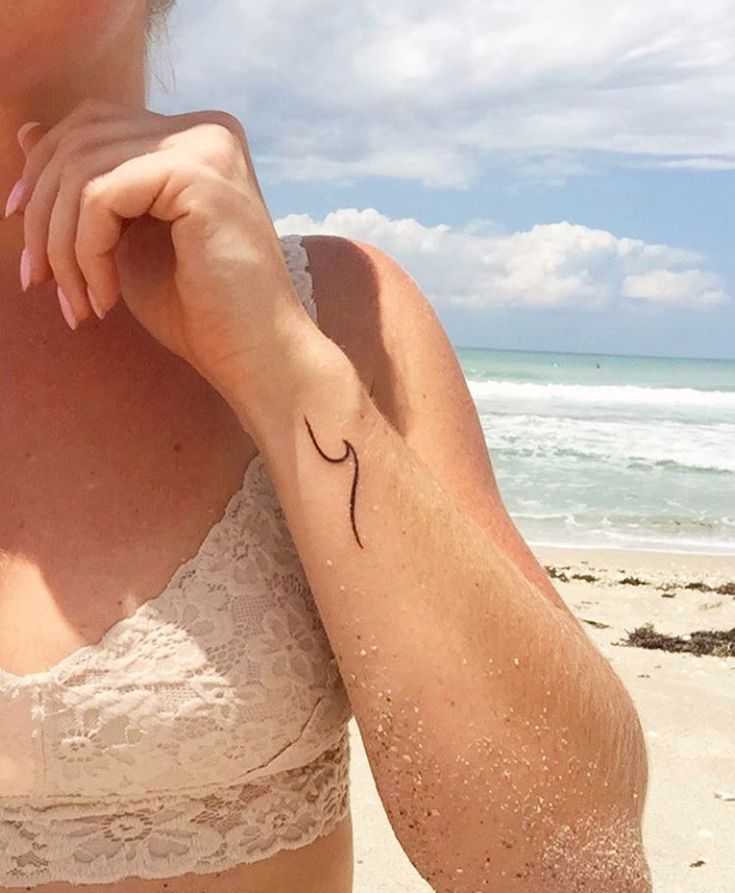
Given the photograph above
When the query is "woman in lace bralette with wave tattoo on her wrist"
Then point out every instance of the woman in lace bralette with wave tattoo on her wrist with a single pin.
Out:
(229, 523)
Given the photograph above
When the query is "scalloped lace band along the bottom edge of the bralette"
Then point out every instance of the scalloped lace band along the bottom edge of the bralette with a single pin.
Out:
(169, 836)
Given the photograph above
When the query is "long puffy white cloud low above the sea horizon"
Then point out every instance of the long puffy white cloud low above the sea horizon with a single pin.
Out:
(550, 266)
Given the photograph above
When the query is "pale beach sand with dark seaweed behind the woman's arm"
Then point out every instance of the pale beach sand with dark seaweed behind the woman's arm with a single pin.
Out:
(686, 703)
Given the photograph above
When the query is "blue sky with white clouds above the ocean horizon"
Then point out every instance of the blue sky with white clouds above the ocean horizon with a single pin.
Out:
(553, 175)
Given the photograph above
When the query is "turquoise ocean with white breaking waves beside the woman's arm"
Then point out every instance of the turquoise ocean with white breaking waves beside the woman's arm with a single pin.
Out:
(610, 451)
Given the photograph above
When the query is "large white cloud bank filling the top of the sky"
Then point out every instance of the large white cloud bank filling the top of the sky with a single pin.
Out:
(432, 91)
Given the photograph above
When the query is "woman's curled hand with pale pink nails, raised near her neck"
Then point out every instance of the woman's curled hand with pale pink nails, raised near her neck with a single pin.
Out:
(167, 213)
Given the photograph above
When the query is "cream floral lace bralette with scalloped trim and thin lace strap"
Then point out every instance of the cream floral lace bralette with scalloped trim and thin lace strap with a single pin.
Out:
(207, 730)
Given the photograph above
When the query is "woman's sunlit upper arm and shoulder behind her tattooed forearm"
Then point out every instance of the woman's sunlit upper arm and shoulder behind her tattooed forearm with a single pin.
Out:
(419, 386)
